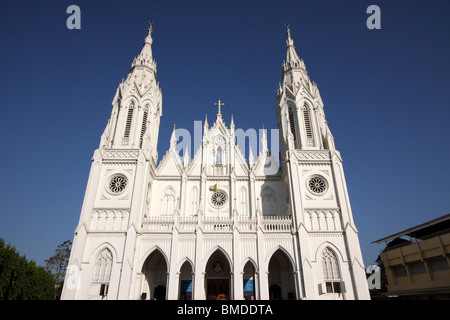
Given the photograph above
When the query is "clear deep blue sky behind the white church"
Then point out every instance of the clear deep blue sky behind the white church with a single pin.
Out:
(386, 95)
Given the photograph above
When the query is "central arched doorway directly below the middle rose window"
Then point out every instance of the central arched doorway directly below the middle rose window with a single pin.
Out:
(218, 277)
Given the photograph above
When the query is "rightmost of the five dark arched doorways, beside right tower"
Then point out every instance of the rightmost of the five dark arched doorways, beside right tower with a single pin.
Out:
(281, 277)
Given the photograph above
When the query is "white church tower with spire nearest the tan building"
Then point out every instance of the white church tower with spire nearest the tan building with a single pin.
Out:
(314, 180)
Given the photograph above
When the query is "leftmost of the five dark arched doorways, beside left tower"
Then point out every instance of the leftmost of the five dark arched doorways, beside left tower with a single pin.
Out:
(154, 271)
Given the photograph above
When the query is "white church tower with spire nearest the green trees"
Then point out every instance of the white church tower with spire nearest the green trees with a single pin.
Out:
(115, 195)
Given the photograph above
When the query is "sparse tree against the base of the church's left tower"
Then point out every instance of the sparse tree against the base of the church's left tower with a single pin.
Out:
(57, 265)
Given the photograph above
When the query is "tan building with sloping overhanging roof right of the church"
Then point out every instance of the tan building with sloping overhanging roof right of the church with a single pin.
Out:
(416, 261)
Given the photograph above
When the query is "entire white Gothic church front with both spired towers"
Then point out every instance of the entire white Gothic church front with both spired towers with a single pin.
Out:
(217, 226)
